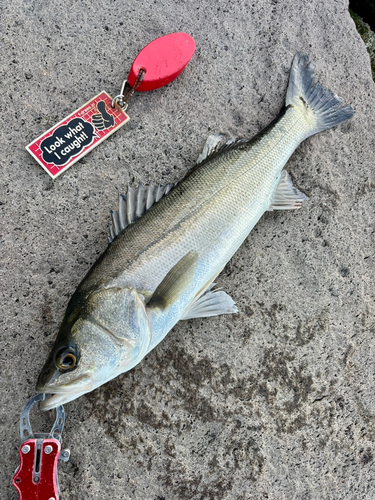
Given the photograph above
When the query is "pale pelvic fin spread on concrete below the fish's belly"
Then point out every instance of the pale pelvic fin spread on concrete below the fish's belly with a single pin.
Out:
(211, 303)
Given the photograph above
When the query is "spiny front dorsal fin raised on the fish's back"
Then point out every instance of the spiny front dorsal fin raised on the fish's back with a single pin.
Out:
(133, 205)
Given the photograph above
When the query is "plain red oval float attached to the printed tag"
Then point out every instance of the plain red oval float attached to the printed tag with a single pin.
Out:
(163, 60)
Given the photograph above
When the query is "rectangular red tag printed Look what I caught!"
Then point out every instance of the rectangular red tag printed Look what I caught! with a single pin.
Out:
(65, 143)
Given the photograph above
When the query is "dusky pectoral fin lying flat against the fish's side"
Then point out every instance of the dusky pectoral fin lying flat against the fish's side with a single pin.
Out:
(175, 283)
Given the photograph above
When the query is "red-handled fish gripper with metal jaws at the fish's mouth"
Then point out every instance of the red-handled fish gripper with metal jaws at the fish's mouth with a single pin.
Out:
(36, 477)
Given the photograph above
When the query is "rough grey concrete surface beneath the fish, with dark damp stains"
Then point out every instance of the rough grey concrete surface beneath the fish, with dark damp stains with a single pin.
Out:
(276, 402)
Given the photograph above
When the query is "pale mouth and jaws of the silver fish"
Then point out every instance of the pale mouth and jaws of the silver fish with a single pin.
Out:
(62, 394)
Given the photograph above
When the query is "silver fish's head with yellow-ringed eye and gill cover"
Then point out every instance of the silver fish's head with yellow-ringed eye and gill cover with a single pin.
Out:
(106, 335)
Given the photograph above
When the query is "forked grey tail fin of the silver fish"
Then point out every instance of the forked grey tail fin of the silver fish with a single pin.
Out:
(323, 108)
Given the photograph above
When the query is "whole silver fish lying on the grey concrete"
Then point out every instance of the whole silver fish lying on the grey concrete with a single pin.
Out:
(168, 245)
